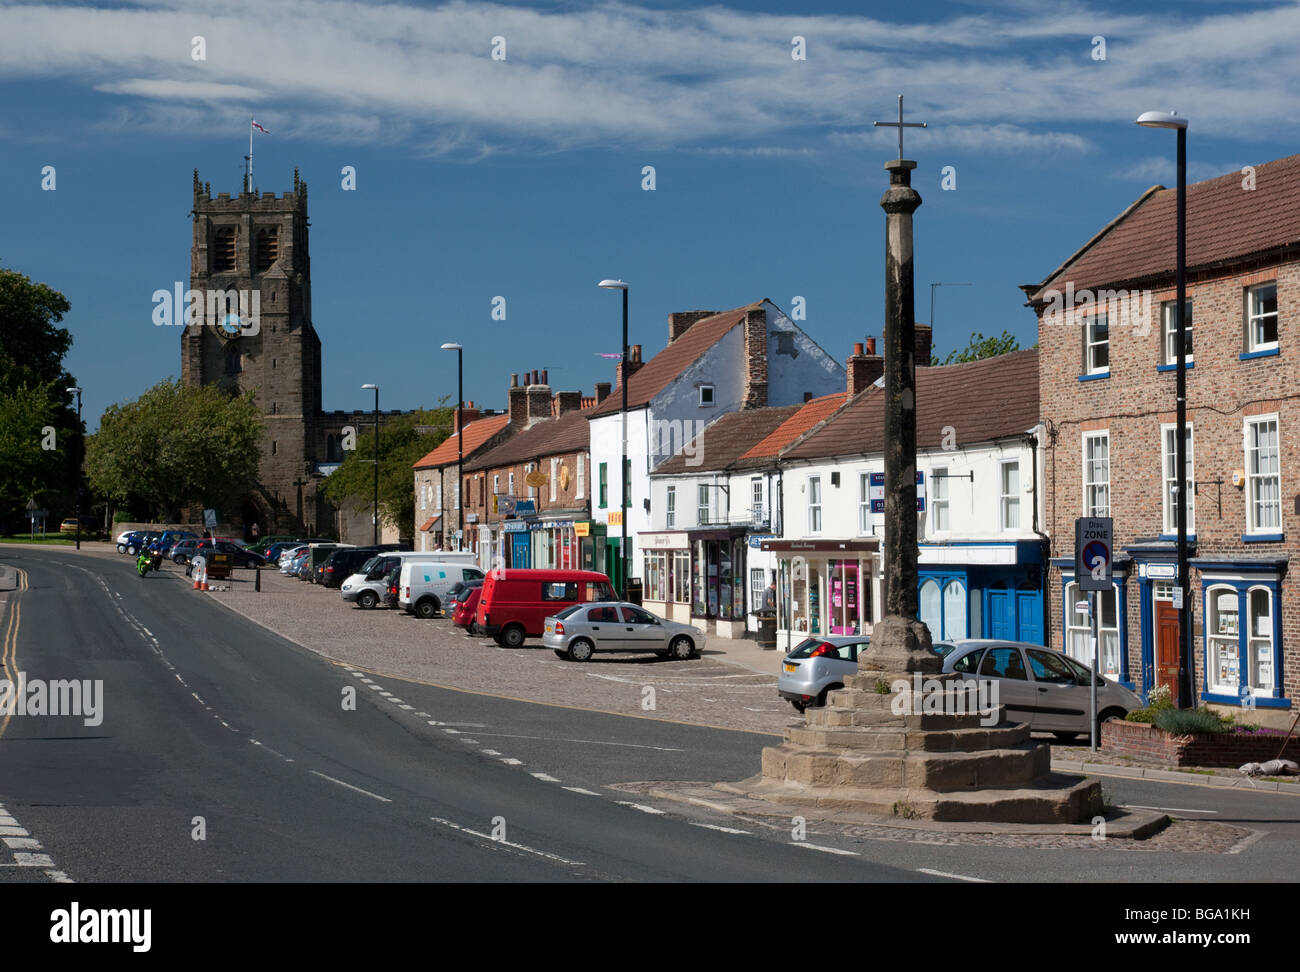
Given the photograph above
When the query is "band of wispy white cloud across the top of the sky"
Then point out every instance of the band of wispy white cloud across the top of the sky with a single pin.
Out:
(1019, 80)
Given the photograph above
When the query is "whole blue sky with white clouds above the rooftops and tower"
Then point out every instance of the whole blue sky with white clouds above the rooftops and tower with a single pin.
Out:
(523, 177)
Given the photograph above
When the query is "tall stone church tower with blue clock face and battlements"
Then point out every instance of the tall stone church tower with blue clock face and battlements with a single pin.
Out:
(252, 268)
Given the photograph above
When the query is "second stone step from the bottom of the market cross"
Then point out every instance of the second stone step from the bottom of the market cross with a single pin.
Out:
(934, 771)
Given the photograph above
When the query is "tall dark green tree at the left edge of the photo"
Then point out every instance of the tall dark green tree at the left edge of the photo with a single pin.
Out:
(34, 465)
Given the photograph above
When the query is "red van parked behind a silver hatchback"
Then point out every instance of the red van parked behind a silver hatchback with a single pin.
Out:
(515, 604)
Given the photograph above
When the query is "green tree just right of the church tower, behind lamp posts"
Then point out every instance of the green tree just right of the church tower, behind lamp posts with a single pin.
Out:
(402, 442)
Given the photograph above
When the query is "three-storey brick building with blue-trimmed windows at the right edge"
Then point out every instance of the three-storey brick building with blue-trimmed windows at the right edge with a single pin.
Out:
(1108, 359)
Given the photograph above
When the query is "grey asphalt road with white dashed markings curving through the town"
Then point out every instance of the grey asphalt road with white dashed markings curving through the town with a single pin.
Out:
(213, 724)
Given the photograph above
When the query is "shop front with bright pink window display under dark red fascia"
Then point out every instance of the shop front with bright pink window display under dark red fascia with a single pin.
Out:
(825, 588)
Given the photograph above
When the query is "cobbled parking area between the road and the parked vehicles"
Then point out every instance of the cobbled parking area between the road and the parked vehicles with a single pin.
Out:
(707, 692)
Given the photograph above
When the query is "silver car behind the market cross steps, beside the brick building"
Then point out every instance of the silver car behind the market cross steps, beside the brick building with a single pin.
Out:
(1038, 685)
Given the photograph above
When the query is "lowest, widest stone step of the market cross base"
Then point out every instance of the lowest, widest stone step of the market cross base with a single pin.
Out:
(1052, 800)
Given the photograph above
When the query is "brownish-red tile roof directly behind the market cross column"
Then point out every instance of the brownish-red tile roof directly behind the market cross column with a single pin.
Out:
(982, 401)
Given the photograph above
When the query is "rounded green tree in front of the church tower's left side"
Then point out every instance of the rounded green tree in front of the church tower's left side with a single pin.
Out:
(177, 445)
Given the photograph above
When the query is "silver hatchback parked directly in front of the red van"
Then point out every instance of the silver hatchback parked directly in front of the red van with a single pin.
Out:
(580, 631)
